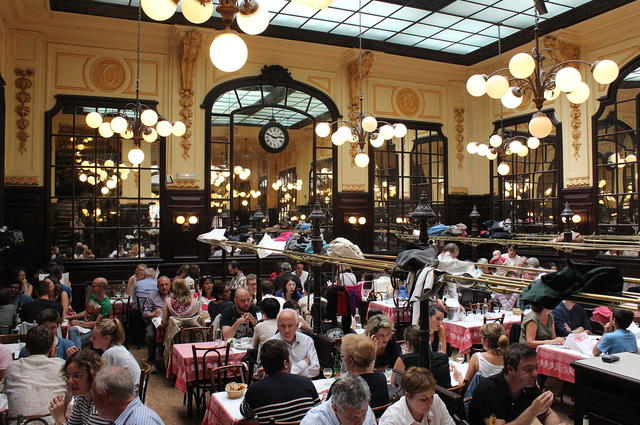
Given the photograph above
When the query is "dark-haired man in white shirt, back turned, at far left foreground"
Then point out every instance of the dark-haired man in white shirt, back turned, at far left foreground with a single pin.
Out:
(32, 382)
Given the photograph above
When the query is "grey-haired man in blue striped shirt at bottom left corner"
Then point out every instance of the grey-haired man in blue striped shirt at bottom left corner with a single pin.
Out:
(115, 400)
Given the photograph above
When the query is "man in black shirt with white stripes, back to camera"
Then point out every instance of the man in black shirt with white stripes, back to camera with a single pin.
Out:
(281, 395)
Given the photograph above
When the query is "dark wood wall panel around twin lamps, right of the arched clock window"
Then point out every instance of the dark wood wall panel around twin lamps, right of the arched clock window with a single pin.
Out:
(356, 204)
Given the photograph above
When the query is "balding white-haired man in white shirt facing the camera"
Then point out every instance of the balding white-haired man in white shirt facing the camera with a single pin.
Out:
(304, 359)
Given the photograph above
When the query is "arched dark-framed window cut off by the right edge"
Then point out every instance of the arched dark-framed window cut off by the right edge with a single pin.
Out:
(615, 154)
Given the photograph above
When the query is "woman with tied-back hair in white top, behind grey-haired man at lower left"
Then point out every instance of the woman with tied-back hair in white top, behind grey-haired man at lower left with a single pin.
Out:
(108, 336)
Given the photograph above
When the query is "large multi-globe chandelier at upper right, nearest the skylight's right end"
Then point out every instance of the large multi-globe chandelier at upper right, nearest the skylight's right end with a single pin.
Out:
(528, 72)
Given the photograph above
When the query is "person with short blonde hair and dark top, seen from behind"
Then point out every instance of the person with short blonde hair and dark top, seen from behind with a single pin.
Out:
(358, 356)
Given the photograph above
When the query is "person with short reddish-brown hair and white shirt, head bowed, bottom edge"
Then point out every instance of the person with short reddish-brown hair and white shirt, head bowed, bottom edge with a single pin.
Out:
(419, 404)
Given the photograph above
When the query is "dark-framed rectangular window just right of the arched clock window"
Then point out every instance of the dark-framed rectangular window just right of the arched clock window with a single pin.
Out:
(400, 171)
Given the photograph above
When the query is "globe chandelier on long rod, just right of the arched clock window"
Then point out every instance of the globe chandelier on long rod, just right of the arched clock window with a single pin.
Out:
(368, 130)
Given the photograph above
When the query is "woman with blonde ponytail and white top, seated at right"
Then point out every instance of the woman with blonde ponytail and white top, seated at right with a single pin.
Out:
(490, 362)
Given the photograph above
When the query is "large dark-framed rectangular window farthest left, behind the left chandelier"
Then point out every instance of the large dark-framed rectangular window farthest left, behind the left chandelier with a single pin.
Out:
(96, 198)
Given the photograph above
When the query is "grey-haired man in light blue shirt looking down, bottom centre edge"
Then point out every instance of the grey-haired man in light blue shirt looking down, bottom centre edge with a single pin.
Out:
(349, 405)
